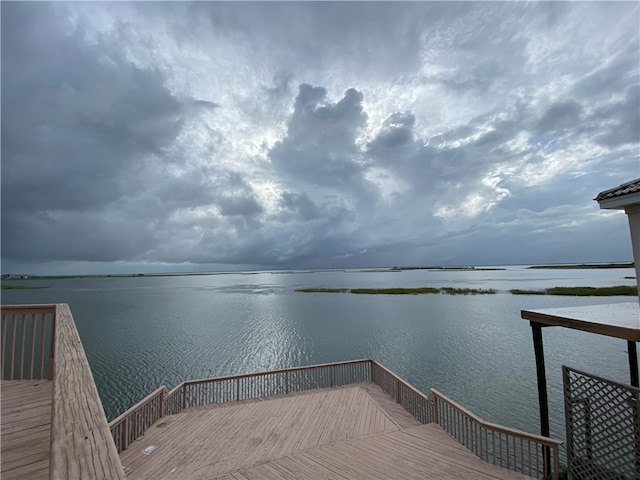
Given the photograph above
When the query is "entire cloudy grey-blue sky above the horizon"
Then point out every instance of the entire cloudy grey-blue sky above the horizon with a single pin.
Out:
(159, 137)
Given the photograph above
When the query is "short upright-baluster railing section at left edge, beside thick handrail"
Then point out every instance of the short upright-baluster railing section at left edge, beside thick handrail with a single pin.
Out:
(27, 342)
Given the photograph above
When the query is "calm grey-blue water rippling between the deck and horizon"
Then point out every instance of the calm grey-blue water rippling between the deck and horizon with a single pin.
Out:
(143, 332)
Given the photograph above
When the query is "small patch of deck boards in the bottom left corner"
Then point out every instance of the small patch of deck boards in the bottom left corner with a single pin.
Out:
(25, 428)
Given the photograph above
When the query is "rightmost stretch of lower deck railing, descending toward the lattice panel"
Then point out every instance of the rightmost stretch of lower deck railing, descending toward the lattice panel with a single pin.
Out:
(512, 449)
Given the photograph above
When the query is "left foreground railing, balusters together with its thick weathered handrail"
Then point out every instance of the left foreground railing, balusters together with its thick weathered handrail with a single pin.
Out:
(44, 338)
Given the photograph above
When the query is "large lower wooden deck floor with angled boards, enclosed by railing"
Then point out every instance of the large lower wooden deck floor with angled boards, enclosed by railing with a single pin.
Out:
(352, 432)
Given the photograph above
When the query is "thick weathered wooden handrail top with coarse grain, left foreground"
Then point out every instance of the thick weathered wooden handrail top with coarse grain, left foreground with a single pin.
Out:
(86, 450)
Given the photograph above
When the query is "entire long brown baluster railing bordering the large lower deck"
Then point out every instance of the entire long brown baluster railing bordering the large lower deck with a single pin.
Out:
(512, 449)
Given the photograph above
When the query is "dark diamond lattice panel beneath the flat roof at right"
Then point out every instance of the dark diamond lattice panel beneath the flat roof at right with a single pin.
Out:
(603, 427)
